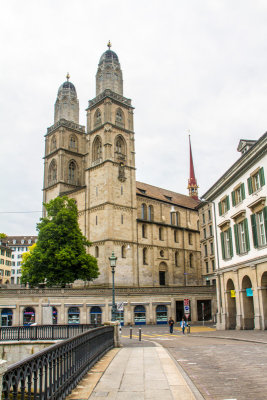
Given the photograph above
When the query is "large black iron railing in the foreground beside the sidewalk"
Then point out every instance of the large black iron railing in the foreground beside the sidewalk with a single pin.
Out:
(51, 374)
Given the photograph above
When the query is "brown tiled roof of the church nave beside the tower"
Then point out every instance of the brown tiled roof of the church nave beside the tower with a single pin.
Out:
(143, 189)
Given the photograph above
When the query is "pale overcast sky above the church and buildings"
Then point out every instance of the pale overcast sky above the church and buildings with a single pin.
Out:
(198, 65)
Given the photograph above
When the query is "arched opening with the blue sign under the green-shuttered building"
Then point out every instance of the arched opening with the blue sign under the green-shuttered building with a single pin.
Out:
(248, 305)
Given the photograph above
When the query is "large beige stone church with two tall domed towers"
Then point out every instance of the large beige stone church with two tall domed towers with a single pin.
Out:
(152, 231)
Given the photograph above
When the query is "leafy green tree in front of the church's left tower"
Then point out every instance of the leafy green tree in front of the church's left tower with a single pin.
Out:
(59, 256)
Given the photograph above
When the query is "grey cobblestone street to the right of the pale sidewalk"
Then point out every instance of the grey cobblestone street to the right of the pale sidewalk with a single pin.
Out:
(220, 368)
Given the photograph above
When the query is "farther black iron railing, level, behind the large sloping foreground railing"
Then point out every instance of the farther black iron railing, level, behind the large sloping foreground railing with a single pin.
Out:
(42, 332)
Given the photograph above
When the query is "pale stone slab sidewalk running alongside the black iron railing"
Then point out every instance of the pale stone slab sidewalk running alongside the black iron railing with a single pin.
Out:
(136, 373)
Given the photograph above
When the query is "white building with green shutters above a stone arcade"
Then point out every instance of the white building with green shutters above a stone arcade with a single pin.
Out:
(239, 208)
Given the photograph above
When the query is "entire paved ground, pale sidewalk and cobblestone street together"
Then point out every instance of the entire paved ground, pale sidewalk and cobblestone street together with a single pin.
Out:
(205, 364)
